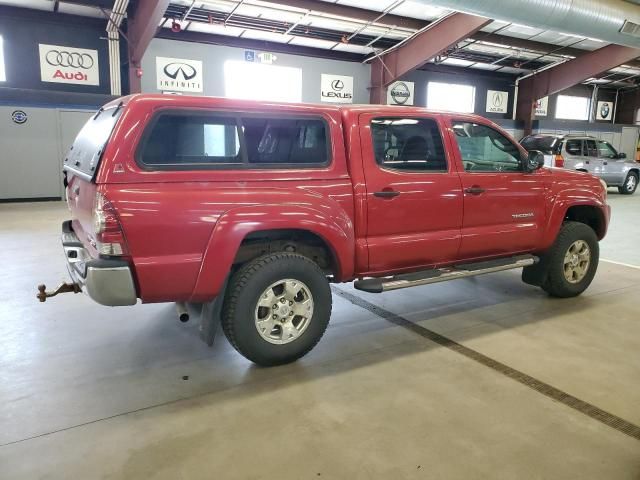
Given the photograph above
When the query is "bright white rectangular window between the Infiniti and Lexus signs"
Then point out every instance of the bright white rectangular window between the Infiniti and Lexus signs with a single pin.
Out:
(259, 81)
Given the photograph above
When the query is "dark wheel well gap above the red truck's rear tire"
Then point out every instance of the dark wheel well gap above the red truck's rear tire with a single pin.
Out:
(303, 242)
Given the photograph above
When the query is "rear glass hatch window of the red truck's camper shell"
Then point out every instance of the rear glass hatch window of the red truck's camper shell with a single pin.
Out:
(84, 155)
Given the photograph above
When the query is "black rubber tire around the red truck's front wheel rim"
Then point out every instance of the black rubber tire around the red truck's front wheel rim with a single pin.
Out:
(556, 284)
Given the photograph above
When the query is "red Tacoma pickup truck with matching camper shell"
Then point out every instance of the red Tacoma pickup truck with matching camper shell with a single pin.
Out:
(252, 209)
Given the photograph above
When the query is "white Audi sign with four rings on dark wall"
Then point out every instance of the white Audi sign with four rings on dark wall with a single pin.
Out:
(60, 64)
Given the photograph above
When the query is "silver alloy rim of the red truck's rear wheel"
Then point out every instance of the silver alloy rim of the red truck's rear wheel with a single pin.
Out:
(284, 311)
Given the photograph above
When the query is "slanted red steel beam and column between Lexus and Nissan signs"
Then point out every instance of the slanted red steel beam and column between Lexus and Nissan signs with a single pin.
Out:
(422, 47)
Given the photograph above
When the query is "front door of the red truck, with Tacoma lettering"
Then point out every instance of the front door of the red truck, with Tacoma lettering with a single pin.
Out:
(504, 206)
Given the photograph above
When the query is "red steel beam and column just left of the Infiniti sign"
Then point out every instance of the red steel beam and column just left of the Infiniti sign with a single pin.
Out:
(142, 27)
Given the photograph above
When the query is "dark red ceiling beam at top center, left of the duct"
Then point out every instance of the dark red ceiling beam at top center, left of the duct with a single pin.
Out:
(353, 13)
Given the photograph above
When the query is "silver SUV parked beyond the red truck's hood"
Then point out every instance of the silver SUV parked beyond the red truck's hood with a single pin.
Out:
(587, 154)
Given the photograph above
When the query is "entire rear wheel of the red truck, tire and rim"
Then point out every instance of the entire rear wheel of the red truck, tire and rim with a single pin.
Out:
(277, 308)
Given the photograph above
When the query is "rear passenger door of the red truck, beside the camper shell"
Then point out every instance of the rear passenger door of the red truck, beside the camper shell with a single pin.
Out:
(413, 192)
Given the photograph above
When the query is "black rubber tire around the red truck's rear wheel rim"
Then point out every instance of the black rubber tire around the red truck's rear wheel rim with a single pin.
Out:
(241, 301)
